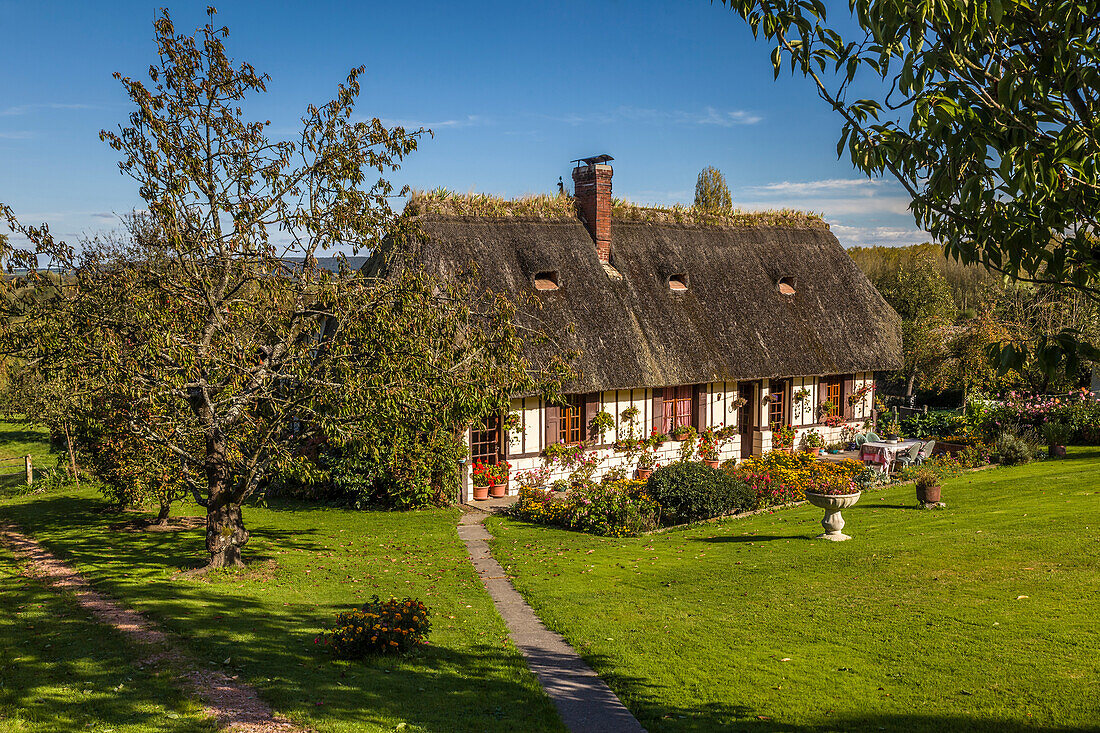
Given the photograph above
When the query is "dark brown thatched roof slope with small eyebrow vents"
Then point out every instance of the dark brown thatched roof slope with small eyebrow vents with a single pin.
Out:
(731, 324)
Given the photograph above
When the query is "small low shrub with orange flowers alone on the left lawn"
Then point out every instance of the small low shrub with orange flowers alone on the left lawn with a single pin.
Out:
(378, 627)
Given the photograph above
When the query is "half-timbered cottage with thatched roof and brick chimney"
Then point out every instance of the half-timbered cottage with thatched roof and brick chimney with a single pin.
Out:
(679, 316)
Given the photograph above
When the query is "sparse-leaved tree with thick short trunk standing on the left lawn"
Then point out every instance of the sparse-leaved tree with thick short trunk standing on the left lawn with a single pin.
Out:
(230, 358)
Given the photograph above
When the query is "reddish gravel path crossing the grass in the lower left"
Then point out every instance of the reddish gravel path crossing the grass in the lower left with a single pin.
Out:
(236, 706)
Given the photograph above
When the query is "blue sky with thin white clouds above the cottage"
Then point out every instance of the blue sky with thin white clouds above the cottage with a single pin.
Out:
(514, 92)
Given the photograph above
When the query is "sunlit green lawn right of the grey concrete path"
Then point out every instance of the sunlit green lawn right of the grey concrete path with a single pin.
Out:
(982, 617)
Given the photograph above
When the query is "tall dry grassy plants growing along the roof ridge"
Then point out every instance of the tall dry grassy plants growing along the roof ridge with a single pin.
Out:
(444, 202)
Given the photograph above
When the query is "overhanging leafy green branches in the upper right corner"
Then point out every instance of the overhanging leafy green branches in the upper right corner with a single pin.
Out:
(989, 118)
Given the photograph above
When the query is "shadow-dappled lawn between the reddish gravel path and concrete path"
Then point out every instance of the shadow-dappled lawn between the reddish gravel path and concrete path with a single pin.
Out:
(309, 564)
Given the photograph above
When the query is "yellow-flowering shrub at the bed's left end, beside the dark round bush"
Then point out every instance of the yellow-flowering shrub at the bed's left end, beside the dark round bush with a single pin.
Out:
(611, 509)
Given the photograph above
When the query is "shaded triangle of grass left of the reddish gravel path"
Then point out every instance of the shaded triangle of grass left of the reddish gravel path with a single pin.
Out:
(62, 672)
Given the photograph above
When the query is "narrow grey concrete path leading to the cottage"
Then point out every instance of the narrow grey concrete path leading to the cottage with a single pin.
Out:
(584, 701)
